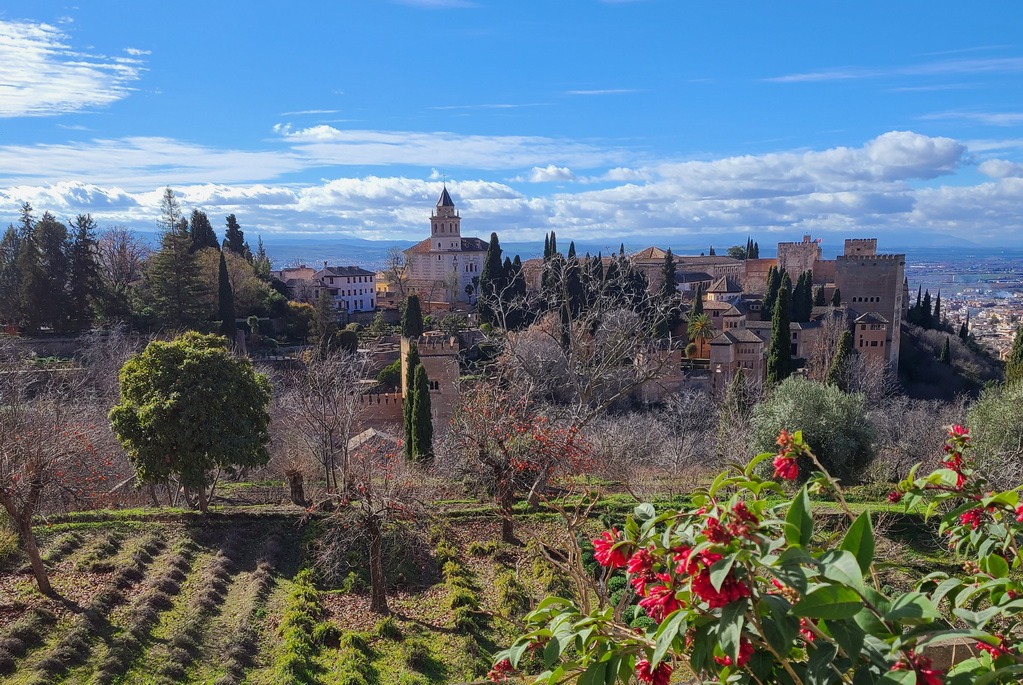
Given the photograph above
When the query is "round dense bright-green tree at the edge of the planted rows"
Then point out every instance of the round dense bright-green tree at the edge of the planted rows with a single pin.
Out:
(189, 407)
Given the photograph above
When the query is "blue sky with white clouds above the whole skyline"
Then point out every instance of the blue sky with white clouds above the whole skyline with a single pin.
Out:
(672, 122)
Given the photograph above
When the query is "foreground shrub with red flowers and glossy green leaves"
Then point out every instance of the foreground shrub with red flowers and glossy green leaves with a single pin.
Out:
(742, 592)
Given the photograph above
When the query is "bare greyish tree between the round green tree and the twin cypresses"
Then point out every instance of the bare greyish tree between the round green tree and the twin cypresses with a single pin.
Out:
(322, 404)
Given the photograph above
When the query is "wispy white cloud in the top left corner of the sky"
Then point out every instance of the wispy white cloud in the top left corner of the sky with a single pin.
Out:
(41, 75)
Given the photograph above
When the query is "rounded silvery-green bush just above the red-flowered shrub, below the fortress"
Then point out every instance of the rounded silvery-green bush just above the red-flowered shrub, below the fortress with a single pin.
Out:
(834, 425)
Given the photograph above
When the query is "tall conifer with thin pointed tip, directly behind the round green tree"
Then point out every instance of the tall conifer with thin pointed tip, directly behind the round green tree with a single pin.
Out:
(175, 288)
